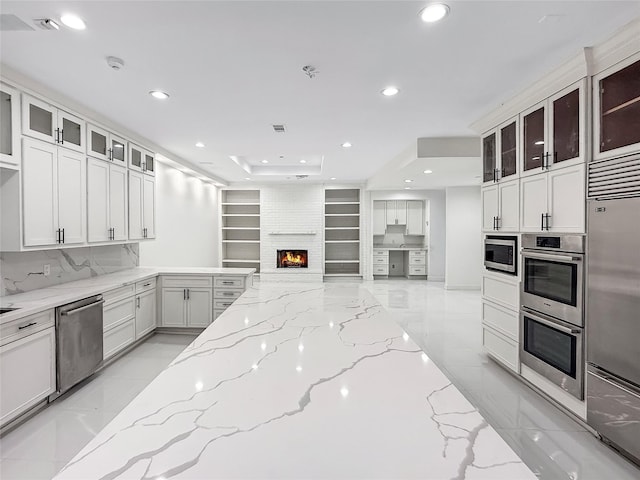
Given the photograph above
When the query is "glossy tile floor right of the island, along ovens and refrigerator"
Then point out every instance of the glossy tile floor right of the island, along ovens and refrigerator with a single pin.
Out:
(446, 325)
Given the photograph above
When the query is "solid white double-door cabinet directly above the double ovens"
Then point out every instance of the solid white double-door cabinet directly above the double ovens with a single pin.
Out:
(554, 201)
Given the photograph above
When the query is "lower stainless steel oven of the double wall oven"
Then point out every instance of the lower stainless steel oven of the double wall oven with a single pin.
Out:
(554, 349)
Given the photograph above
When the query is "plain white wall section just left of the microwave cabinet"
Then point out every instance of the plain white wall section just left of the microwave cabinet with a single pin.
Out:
(463, 238)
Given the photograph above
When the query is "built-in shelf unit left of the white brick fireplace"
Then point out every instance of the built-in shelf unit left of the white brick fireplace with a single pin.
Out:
(240, 228)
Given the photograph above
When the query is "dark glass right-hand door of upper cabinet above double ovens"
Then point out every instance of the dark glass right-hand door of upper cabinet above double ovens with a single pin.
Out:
(566, 127)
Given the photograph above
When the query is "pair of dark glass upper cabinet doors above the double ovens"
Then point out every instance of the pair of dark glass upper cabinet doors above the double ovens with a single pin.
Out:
(553, 132)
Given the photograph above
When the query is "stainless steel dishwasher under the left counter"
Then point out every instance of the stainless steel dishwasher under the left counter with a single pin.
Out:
(79, 341)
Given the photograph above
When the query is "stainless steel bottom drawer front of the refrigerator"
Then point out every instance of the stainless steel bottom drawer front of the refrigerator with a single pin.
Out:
(613, 409)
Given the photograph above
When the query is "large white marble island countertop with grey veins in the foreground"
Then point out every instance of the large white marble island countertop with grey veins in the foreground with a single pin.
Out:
(299, 381)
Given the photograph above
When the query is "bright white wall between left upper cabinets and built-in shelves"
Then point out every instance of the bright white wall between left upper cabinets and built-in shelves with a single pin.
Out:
(186, 222)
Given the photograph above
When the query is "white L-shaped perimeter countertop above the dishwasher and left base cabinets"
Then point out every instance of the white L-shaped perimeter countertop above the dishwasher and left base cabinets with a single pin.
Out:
(42, 299)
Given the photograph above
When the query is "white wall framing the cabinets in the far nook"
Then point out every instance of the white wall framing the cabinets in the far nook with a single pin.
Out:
(435, 214)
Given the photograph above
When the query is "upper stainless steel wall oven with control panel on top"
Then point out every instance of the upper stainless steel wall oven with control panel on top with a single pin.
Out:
(552, 276)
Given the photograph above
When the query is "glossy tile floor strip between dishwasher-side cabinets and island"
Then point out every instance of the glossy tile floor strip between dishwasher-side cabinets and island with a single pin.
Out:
(40, 447)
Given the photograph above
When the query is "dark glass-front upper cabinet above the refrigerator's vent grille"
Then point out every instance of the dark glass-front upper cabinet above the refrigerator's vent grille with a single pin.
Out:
(616, 96)
